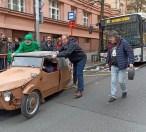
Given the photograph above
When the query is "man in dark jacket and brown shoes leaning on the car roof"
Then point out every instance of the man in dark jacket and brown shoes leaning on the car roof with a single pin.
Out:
(77, 56)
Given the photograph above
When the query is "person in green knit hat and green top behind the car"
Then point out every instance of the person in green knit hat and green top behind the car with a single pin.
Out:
(28, 45)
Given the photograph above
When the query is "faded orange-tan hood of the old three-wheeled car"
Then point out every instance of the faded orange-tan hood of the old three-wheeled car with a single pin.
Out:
(16, 77)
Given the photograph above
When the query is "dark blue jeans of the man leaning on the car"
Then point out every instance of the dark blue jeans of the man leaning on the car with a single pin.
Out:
(78, 74)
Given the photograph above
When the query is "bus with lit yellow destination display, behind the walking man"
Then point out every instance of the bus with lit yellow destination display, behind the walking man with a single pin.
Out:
(132, 28)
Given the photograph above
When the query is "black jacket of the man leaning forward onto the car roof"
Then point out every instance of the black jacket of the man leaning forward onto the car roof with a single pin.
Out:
(73, 51)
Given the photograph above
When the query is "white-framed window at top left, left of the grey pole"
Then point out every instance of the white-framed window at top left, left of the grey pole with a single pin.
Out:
(17, 5)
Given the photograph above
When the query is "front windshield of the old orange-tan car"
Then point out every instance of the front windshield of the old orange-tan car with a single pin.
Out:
(27, 61)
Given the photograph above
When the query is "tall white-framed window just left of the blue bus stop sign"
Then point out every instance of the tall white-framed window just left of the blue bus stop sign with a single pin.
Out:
(54, 9)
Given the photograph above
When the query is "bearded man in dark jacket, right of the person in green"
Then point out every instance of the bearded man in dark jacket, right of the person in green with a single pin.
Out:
(49, 45)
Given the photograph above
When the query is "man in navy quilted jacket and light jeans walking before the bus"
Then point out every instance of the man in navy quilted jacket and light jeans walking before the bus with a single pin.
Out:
(120, 55)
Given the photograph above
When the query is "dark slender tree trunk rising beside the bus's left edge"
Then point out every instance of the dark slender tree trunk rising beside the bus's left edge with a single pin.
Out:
(100, 29)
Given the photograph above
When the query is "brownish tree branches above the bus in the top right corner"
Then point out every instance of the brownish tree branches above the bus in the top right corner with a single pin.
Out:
(137, 5)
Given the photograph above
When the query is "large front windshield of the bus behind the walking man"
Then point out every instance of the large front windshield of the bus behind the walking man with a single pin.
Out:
(129, 31)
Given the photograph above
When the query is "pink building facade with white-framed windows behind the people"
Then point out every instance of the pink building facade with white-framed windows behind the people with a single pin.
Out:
(17, 19)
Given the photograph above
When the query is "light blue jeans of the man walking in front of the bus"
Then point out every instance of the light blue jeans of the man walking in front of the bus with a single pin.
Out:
(114, 74)
